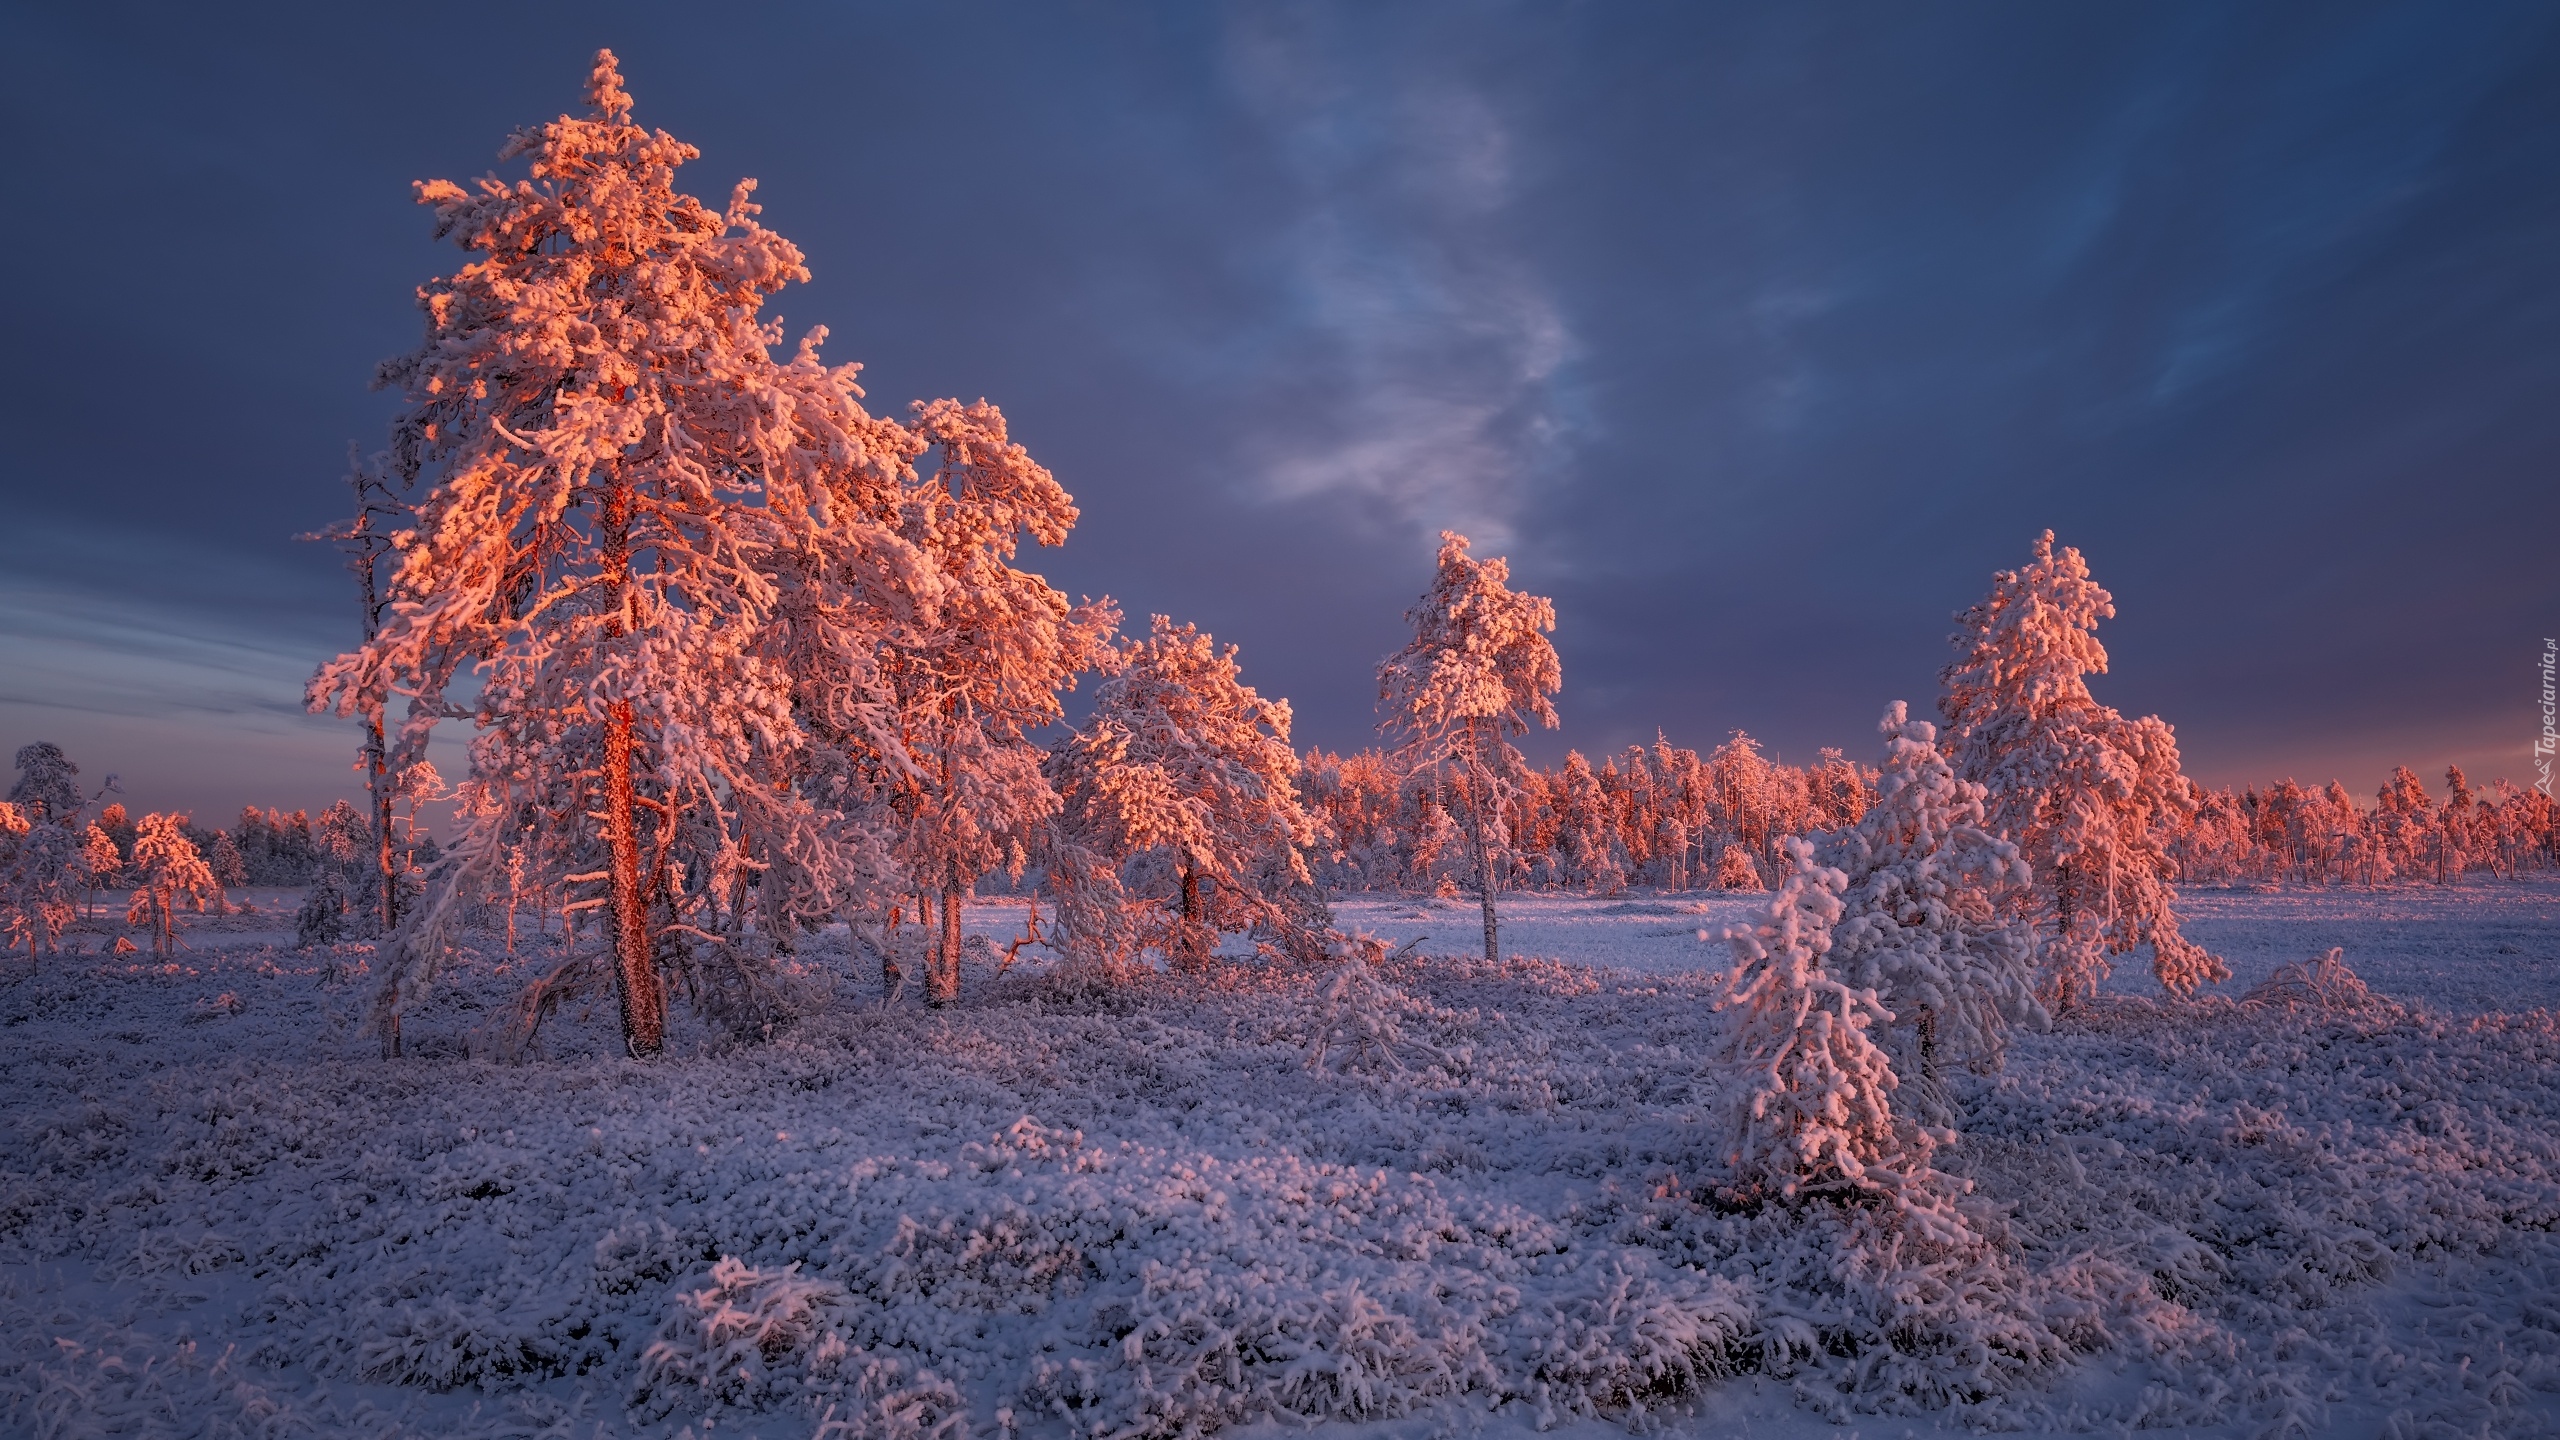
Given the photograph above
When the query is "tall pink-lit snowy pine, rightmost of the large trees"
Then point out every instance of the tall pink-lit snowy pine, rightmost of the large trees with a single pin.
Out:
(2088, 796)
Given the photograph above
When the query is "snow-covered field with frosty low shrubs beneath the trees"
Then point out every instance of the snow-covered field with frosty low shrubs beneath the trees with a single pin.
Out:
(1443, 1203)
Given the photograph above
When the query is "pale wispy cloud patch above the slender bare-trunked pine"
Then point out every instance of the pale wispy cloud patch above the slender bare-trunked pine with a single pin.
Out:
(1445, 347)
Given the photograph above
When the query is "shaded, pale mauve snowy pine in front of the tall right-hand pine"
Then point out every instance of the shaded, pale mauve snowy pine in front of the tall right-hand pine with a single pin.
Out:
(1921, 919)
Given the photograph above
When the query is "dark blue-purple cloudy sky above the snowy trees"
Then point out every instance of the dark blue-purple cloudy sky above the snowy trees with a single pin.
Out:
(1755, 337)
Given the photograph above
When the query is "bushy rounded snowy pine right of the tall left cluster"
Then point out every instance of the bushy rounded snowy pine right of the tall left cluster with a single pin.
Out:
(1187, 760)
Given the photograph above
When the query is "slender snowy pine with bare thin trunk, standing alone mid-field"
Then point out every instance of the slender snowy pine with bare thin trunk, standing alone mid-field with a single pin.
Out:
(1478, 670)
